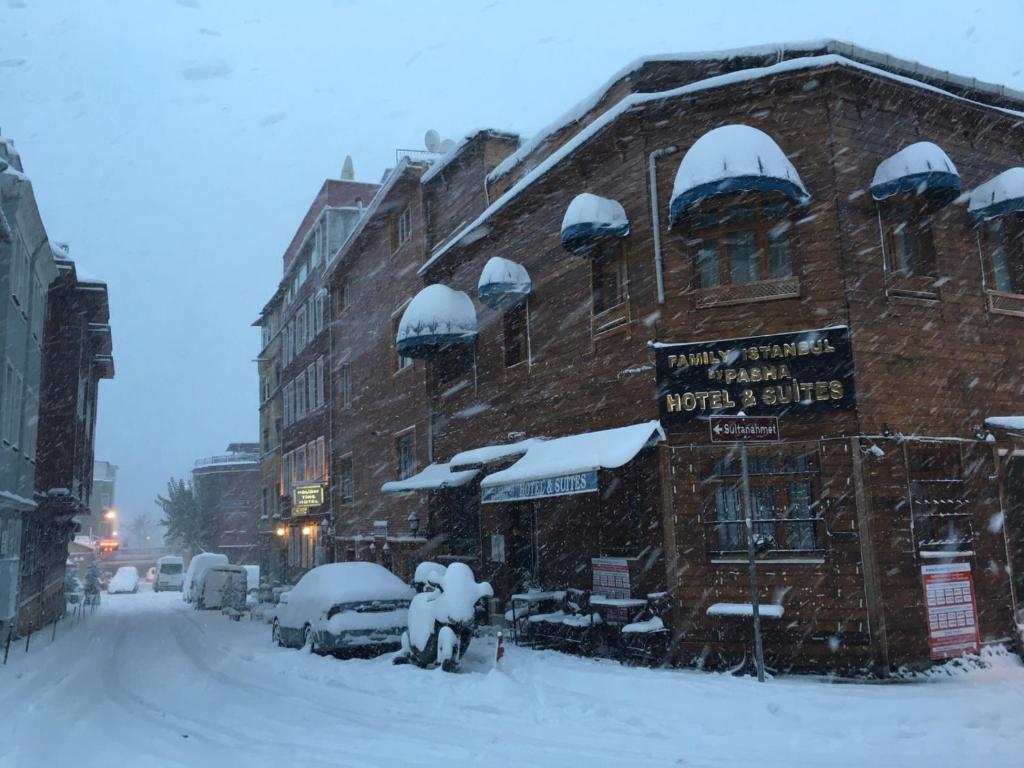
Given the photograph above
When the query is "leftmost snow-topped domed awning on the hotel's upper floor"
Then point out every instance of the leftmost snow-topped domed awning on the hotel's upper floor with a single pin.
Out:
(438, 317)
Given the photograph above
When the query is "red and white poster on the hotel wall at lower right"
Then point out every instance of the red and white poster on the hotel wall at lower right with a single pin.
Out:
(953, 617)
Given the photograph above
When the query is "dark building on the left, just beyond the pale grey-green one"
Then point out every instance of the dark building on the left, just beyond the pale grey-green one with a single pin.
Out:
(77, 356)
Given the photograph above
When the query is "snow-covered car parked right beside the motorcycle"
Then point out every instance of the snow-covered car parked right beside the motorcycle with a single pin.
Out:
(345, 609)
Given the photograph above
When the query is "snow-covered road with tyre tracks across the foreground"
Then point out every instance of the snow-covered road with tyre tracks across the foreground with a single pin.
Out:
(148, 682)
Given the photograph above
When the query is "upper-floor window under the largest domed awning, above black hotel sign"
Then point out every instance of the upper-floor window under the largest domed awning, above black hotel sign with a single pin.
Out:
(741, 244)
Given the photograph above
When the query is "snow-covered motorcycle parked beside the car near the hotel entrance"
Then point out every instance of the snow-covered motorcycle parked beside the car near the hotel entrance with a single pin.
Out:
(442, 617)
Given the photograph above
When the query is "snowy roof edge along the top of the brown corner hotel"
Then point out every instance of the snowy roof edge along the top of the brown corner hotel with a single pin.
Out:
(468, 233)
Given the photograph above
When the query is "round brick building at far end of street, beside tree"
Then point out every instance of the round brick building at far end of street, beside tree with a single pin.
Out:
(228, 490)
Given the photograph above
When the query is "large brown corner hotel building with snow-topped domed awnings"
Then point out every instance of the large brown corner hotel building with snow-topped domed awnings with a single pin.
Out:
(820, 234)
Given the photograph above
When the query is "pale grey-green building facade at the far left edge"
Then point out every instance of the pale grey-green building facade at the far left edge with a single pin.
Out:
(27, 267)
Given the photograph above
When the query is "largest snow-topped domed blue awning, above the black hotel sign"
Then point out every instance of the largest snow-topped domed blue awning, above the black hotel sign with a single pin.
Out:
(734, 159)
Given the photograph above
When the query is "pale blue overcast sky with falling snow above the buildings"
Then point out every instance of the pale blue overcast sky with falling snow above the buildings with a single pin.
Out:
(177, 145)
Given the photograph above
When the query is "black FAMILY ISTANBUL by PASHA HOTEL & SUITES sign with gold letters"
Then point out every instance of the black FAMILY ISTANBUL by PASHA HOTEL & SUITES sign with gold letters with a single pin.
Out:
(803, 372)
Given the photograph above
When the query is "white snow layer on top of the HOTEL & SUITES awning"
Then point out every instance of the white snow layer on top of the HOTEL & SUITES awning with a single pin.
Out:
(606, 449)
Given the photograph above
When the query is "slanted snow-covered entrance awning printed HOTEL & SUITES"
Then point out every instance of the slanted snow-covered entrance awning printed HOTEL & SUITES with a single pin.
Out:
(565, 466)
